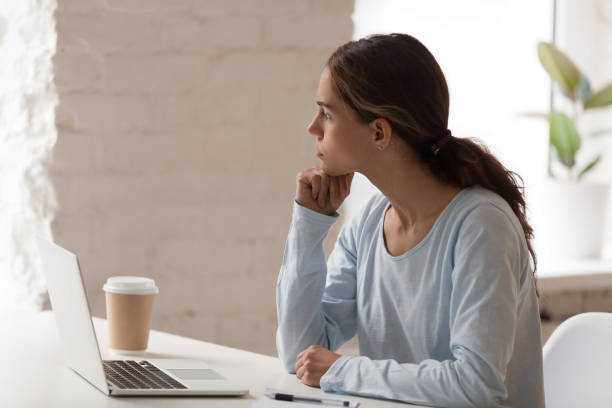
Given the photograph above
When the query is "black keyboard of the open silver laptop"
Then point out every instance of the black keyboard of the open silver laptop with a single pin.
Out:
(129, 374)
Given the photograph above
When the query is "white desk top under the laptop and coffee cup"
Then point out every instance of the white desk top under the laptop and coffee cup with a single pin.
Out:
(31, 340)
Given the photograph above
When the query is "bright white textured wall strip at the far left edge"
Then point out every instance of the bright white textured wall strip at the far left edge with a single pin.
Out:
(27, 134)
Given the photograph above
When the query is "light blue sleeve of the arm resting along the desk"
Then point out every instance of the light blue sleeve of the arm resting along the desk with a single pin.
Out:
(483, 319)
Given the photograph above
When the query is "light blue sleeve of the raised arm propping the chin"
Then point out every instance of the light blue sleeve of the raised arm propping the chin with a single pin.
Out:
(315, 299)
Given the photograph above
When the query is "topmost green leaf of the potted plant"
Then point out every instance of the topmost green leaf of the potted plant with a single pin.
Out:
(559, 67)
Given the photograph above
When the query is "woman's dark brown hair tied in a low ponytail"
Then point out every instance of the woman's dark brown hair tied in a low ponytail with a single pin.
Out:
(395, 77)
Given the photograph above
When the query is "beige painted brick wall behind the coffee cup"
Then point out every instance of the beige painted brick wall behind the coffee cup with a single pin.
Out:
(181, 126)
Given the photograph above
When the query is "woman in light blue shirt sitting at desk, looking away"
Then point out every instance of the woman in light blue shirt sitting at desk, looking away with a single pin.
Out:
(435, 275)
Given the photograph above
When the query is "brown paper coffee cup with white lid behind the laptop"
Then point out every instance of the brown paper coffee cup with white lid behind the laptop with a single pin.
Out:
(129, 308)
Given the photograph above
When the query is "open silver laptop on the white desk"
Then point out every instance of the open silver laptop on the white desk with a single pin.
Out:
(144, 376)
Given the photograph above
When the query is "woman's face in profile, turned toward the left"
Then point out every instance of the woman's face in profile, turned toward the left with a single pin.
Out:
(342, 141)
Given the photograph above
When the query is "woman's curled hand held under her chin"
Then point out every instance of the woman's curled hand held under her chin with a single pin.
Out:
(321, 192)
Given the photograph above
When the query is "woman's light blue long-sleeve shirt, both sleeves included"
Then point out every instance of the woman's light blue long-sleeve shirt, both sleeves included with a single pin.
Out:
(452, 322)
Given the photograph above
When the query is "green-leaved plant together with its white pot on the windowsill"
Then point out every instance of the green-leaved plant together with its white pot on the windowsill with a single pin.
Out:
(569, 211)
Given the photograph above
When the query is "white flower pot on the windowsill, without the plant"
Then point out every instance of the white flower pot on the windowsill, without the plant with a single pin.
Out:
(568, 219)
